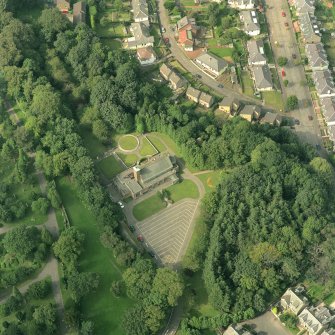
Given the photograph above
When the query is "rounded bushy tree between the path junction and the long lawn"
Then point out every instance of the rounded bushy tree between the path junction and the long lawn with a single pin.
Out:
(69, 246)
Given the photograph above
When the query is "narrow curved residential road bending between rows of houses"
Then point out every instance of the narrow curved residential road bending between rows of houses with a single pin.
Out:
(180, 56)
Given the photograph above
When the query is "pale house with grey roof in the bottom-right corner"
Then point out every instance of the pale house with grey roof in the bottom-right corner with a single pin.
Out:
(315, 319)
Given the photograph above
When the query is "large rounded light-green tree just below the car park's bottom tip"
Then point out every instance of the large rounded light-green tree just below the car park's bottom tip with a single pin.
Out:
(168, 285)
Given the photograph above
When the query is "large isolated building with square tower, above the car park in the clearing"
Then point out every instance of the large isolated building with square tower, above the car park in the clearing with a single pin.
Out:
(143, 178)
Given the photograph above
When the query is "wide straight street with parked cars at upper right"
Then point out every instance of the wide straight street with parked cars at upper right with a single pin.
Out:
(308, 130)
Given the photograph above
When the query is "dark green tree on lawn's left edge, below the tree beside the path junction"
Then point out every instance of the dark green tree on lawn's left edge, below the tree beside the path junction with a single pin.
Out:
(81, 284)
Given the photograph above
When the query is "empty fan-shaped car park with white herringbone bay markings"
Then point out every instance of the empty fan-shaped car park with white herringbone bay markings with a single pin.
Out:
(165, 232)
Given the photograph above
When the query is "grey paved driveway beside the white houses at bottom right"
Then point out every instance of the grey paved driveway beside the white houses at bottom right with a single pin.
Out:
(267, 324)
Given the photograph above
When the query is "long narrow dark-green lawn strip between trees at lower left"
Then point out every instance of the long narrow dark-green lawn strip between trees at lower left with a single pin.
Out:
(101, 306)
